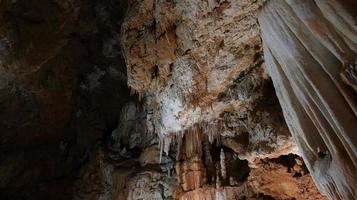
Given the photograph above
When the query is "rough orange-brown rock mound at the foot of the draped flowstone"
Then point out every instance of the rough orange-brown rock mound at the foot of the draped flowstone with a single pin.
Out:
(284, 178)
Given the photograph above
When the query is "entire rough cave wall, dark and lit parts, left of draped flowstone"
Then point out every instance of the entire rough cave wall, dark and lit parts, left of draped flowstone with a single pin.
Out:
(72, 129)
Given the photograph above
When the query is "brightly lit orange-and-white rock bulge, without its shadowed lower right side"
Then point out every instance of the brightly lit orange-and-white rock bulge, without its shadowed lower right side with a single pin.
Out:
(181, 55)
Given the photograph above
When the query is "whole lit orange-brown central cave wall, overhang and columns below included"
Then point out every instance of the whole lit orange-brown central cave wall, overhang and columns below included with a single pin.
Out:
(199, 69)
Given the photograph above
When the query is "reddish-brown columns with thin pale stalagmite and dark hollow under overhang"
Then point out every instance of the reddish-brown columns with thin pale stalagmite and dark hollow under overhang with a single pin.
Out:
(203, 165)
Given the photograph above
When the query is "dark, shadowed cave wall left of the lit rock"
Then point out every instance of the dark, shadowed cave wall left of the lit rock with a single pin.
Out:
(62, 87)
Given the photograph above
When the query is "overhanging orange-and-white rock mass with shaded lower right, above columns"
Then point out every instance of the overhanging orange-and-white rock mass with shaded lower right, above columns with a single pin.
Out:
(211, 75)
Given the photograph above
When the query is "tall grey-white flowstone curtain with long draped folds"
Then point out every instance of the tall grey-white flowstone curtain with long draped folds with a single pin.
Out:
(310, 53)
